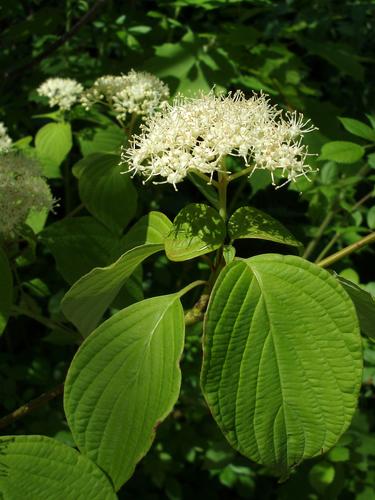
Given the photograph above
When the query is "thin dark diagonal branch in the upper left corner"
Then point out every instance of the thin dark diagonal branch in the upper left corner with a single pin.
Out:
(17, 70)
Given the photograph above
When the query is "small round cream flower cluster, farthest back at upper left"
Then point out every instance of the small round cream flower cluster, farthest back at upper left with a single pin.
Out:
(61, 92)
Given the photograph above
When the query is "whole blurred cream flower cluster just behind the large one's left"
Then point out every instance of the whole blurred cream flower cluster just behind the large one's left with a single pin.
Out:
(137, 92)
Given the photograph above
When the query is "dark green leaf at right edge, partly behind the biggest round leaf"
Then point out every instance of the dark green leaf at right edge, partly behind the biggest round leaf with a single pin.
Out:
(364, 304)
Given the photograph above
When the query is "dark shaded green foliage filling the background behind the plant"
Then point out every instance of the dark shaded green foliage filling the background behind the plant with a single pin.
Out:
(316, 56)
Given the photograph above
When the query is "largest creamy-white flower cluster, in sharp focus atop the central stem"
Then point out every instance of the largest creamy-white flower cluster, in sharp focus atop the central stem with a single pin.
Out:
(198, 133)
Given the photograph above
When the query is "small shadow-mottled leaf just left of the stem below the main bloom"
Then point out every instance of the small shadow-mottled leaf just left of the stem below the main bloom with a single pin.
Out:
(197, 229)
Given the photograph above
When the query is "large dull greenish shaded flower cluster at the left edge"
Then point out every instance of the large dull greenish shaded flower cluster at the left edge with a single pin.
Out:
(21, 189)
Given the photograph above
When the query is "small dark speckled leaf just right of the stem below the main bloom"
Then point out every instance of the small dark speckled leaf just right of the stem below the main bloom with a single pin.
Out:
(249, 222)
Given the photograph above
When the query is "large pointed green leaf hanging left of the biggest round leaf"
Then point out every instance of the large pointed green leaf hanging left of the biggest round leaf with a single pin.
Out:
(123, 381)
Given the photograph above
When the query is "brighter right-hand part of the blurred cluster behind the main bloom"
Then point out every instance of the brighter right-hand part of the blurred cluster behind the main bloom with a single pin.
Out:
(142, 94)
